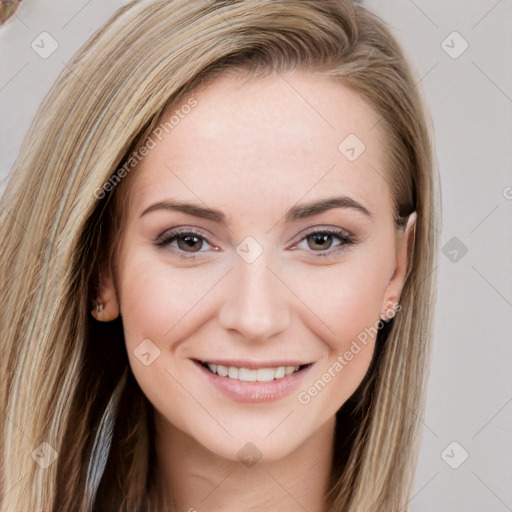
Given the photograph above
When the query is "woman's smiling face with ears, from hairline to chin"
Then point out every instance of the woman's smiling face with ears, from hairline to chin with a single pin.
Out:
(258, 241)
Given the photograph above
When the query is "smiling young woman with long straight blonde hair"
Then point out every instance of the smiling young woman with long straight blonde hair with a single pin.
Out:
(218, 268)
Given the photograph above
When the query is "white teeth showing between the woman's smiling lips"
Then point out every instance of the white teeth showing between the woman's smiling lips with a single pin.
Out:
(254, 374)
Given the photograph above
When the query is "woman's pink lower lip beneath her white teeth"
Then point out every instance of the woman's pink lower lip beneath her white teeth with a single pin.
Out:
(255, 392)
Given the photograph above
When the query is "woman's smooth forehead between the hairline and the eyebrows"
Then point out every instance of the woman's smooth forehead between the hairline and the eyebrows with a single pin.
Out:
(267, 141)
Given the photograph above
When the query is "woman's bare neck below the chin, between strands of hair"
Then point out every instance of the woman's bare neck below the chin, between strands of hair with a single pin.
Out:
(198, 479)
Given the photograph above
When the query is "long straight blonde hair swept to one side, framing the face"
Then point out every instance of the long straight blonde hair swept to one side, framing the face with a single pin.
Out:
(59, 368)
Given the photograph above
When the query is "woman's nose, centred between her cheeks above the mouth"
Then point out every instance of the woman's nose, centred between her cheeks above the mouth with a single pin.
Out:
(255, 302)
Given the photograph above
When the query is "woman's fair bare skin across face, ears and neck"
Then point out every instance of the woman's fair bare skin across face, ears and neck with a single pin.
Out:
(253, 150)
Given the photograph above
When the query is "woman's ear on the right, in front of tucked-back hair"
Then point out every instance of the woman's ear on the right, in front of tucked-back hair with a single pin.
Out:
(405, 244)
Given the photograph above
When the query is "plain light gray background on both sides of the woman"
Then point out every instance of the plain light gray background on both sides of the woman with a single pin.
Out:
(470, 97)
